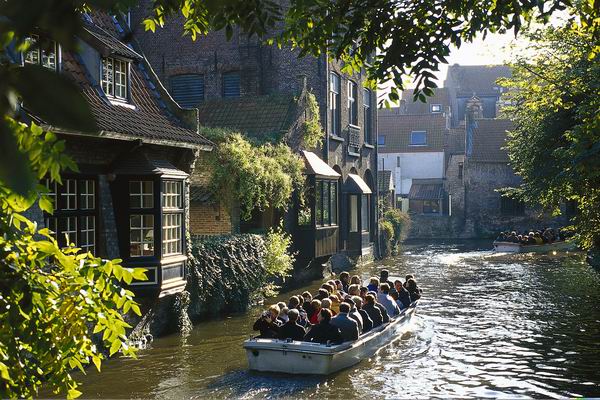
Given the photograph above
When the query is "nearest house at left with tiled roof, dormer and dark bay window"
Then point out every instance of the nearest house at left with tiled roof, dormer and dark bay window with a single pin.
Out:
(130, 198)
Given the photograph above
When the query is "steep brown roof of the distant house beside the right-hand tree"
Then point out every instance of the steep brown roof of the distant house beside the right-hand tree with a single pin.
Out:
(489, 139)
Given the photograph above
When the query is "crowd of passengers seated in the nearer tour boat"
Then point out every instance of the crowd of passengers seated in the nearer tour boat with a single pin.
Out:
(340, 311)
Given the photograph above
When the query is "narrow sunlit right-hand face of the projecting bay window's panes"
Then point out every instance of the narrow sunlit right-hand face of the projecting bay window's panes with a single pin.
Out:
(172, 226)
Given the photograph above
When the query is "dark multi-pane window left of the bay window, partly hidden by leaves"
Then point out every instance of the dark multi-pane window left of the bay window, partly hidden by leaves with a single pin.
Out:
(74, 218)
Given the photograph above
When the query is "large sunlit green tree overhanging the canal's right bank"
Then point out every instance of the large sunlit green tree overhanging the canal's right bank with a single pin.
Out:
(555, 146)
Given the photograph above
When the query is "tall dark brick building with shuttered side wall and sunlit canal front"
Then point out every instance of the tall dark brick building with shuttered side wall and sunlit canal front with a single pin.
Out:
(213, 68)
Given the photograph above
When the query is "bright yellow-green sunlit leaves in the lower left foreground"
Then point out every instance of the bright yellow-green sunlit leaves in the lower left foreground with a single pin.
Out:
(52, 299)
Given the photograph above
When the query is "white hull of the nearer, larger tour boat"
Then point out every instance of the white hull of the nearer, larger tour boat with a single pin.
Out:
(293, 357)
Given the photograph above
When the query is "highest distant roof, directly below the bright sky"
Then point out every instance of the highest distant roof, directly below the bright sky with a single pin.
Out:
(468, 80)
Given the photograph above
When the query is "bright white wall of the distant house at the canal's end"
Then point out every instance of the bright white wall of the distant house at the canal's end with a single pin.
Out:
(424, 165)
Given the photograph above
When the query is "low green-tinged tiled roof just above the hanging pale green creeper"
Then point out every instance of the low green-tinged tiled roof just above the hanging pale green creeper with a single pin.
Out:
(253, 115)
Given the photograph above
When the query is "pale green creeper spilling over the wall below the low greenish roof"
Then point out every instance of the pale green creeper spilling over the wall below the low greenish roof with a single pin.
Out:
(255, 176)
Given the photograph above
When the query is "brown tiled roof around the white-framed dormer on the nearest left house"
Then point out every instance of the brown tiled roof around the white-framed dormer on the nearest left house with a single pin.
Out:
(148, 116)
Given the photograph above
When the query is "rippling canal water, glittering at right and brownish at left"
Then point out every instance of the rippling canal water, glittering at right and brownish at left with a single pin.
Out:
(489, 326)
